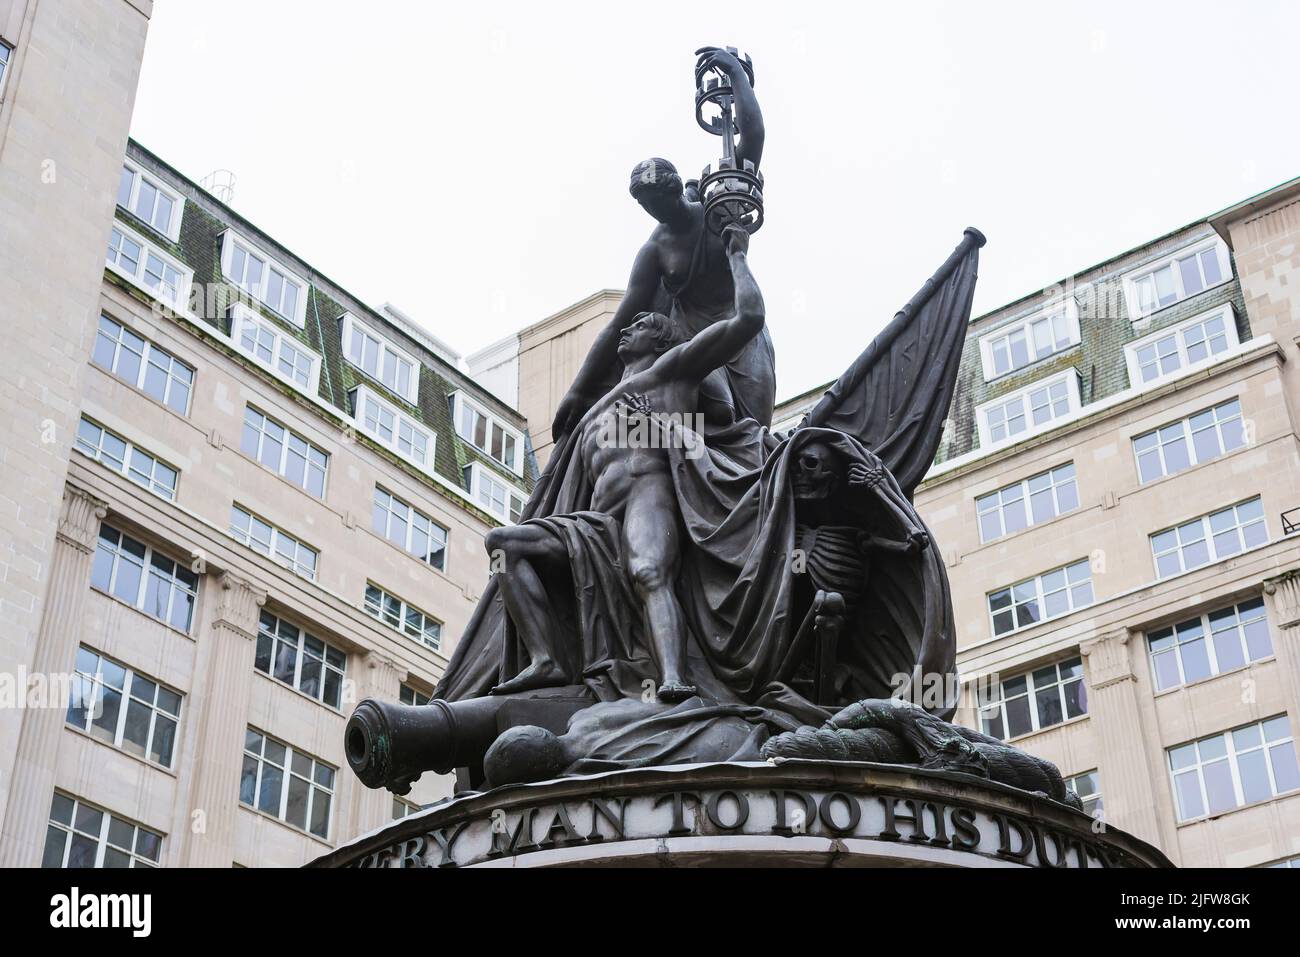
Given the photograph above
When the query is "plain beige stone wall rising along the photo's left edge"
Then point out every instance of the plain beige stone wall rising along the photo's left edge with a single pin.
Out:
(64, 115)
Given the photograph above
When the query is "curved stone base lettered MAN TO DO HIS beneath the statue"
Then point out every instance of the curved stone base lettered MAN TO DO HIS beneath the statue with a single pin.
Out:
(788, 813)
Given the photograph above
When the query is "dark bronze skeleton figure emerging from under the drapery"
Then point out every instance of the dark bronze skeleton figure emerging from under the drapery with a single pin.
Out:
(834, 561)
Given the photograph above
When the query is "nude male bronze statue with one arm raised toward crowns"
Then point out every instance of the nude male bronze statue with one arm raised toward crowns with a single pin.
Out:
(631, 484)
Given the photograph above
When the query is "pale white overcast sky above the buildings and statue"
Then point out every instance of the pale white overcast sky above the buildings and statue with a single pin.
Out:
(470, 162)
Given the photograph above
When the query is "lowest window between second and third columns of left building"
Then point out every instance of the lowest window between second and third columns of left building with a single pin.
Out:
(287, 783)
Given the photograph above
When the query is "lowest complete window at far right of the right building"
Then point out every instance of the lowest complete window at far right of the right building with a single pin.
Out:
(1242, 767)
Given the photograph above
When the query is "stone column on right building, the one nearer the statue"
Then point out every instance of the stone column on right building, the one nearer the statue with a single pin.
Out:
(1126, 773)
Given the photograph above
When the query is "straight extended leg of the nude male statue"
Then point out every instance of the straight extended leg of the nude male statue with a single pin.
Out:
(652, 536)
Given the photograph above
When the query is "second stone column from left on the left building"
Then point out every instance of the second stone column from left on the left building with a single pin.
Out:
(224, 718)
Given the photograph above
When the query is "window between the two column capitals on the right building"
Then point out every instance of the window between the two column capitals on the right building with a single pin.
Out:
(1210, 646)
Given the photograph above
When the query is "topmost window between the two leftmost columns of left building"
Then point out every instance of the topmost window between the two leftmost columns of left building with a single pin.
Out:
(144, 579)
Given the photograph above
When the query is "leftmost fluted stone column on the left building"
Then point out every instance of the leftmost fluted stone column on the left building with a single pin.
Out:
(24, 837)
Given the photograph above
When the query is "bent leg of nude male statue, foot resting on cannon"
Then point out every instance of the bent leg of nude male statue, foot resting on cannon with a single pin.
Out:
(525, 549)
